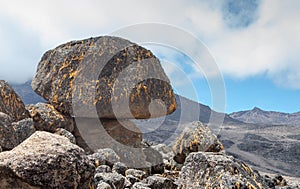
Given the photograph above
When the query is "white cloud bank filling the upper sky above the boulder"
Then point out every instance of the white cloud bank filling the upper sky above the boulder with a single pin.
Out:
(247, 38)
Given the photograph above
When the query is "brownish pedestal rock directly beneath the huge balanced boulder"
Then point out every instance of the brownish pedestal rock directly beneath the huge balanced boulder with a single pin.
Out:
(124, 138)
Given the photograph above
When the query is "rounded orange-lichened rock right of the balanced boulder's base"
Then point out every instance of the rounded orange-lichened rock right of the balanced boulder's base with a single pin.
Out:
(195, 139)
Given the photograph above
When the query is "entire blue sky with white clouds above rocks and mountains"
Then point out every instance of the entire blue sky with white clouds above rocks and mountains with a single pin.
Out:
(255, 44)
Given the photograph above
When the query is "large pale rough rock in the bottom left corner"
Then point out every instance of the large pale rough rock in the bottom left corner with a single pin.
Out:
(45, 160)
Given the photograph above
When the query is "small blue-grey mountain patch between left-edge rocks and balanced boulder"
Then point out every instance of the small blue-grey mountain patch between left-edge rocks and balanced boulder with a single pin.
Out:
(26, 93)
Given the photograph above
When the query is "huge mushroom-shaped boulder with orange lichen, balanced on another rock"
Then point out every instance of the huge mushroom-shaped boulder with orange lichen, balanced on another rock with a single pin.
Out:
(105, 76)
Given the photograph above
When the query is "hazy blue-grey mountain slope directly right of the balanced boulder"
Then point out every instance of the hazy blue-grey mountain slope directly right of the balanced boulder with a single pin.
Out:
(167, 129)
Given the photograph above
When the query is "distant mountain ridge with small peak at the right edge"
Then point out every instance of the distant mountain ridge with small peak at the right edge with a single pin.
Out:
(258, 116)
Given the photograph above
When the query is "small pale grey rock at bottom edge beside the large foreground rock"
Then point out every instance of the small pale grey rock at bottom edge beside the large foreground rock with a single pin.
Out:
(115, 180)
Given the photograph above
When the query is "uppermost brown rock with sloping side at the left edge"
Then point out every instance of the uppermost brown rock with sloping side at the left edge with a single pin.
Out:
(10, 103)
